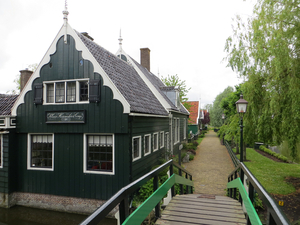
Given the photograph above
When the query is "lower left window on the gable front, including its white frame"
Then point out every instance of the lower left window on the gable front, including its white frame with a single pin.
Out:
(40, 151)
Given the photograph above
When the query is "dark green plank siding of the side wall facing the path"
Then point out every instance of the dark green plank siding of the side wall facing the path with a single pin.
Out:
(142, 126)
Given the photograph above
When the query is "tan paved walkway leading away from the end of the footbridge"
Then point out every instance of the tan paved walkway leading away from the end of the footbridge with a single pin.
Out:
(211, 166)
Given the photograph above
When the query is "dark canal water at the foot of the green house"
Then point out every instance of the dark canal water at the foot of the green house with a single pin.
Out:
(19, 215)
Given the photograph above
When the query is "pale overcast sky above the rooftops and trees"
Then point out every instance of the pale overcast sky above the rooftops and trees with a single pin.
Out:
(186, 38)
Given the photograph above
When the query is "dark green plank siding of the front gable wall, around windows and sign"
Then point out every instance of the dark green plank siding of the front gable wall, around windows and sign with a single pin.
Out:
(104, 117)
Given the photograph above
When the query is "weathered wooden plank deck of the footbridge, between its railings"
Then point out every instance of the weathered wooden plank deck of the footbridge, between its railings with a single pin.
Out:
(189, 209)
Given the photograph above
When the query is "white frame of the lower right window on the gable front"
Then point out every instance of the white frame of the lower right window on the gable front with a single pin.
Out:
(85, 154)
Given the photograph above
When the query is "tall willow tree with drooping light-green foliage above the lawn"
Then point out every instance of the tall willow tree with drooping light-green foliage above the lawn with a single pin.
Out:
(266, 51)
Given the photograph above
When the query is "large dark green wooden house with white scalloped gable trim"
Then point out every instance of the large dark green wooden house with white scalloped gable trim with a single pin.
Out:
(86, 124)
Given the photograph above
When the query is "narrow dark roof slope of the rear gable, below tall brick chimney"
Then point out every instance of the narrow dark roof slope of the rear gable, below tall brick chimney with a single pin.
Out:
(158, 84)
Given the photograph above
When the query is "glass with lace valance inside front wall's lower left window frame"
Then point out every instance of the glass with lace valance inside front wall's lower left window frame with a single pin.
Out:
(41, 151)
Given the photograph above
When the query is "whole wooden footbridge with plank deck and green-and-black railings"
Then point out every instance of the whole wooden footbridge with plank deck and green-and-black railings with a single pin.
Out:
(188, 208)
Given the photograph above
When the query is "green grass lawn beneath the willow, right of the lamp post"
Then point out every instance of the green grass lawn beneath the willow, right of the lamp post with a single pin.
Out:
(272, 174)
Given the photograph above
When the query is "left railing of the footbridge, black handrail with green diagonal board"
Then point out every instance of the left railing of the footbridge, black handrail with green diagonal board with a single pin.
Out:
(121, 198)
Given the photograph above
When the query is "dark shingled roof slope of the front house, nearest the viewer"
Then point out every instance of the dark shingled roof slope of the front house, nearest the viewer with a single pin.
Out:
(126, 79)
